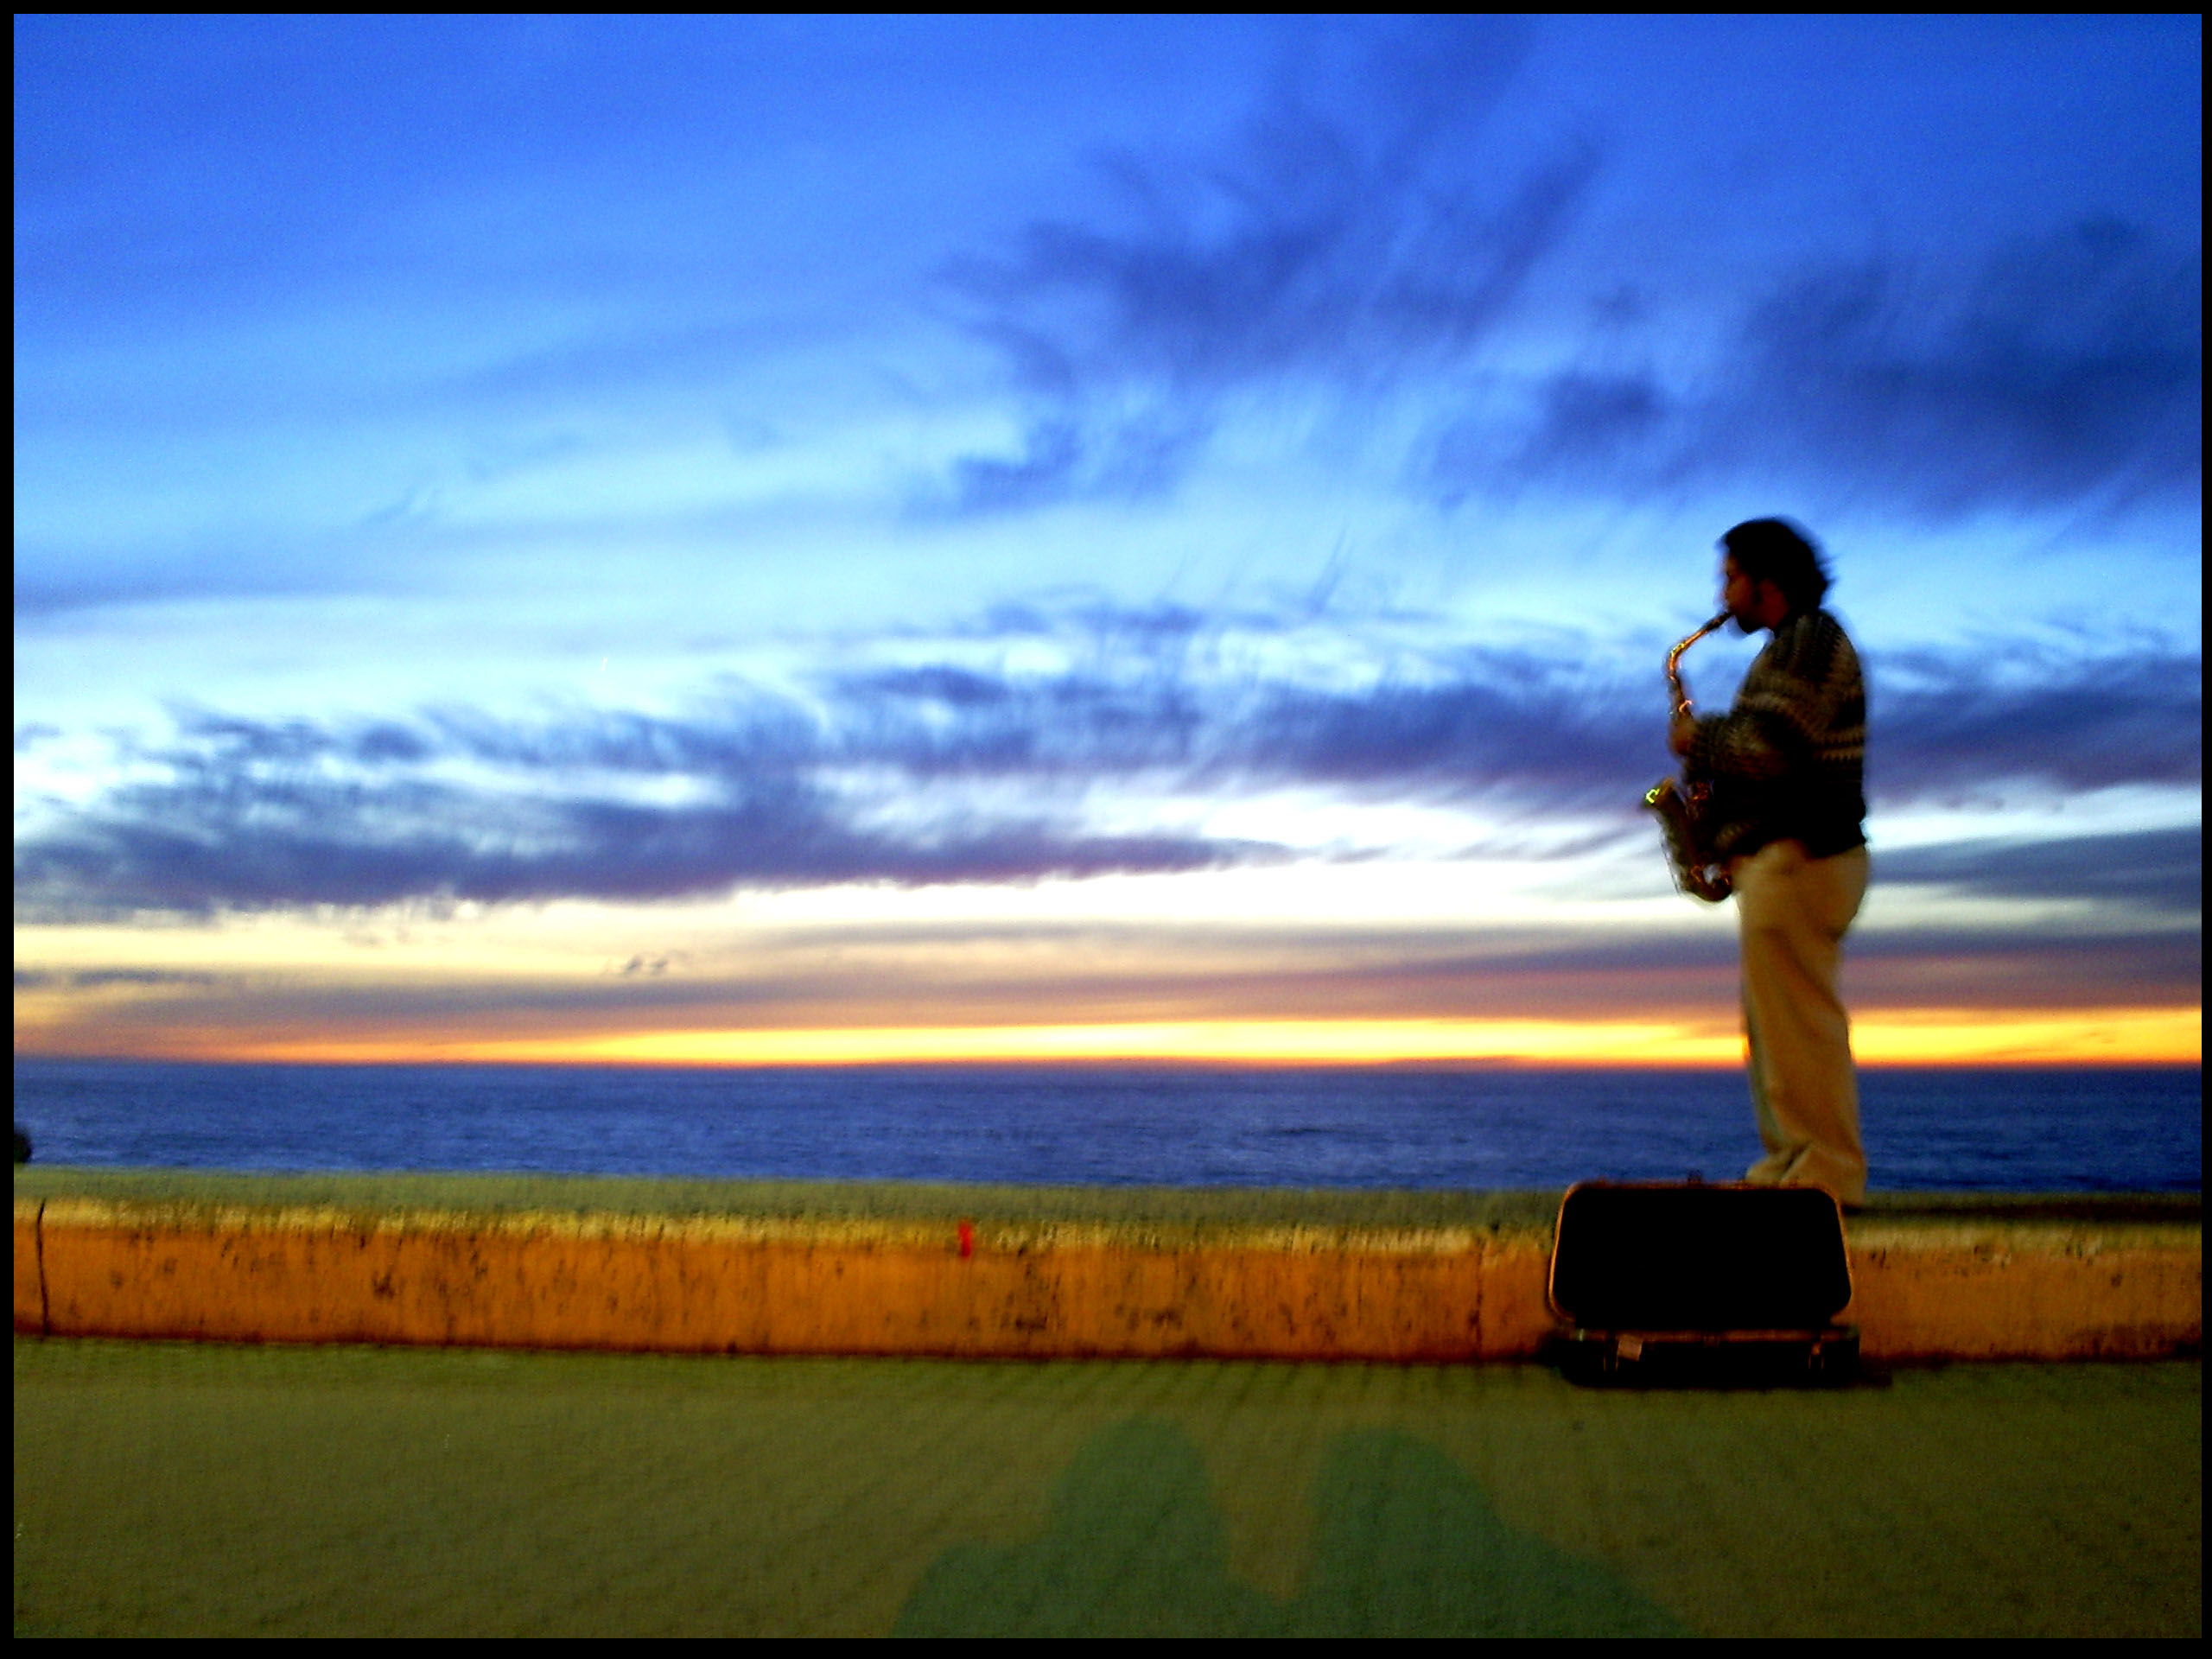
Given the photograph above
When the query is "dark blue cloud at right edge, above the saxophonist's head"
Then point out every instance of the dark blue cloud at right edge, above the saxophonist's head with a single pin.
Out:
(2058, 371)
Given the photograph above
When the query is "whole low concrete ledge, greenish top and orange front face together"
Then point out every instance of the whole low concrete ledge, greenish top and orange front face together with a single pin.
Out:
(1041, 1273)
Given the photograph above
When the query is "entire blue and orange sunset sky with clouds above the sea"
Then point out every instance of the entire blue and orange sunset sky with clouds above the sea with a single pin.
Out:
(789, 541)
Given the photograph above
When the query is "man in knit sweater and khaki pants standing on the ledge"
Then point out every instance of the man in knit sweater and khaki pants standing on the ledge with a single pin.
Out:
(1786, 815)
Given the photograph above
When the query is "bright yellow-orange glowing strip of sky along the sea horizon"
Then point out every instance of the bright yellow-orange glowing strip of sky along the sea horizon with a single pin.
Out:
(1879, 1039)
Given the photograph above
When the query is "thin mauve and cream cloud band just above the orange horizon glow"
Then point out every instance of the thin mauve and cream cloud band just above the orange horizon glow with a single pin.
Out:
(1120, 974)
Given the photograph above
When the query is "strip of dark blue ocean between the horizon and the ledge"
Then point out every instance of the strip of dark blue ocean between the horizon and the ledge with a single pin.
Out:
(1386, 1127)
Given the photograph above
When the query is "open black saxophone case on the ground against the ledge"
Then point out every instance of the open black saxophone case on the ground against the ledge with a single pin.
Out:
(1693, 1284)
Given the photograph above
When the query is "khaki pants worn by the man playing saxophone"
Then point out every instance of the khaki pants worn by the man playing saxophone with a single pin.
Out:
(1793, 915)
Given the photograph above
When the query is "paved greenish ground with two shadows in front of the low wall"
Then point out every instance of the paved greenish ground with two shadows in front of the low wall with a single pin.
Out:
(169, 1490)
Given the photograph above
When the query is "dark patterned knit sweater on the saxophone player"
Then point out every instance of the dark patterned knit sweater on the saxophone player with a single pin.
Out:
(1788, 760)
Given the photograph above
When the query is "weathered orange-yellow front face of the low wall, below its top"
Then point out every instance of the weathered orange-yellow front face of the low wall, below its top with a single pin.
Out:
(1948, 1288)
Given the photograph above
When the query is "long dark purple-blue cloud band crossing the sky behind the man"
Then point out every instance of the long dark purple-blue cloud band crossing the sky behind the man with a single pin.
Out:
(959, 773)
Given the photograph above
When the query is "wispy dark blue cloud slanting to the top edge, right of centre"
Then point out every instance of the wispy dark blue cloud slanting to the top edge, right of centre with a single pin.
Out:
(1350, 249)
